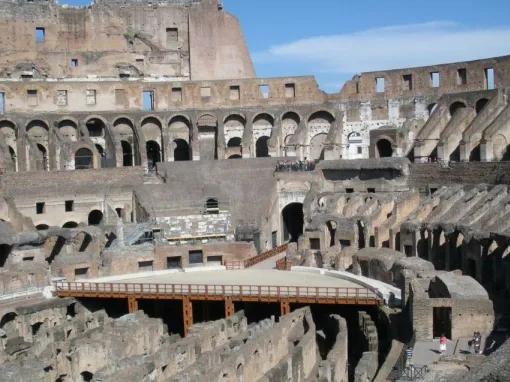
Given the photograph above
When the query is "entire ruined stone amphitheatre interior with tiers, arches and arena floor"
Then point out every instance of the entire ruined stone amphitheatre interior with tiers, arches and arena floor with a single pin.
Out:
(166, 215)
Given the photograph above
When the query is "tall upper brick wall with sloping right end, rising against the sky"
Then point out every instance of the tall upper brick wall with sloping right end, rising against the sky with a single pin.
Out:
(165, 38)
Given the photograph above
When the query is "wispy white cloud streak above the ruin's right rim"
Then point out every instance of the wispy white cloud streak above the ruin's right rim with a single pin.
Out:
(390, 48)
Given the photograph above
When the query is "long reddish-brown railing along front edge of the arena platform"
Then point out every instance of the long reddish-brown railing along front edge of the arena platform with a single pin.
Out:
(205, 290)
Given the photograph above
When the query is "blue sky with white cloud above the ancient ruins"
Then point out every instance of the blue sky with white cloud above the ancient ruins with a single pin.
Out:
(335, 39)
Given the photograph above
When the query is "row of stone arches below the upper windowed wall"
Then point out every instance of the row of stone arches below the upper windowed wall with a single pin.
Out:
(172, 140)
